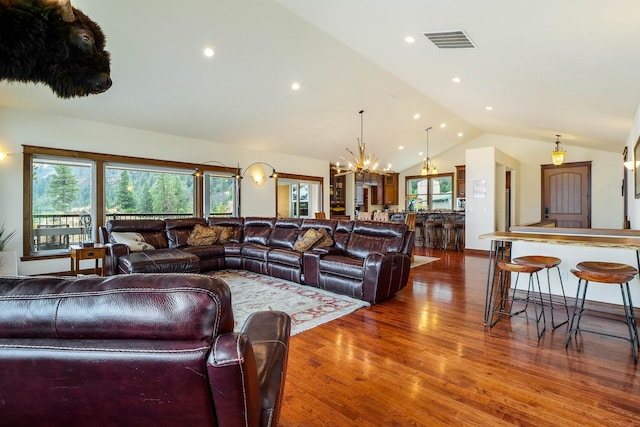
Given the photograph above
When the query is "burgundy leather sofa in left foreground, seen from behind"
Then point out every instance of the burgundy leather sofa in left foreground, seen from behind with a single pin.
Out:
(136, 350)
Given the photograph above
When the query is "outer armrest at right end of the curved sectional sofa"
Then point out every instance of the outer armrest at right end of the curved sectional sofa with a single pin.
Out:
(384, 275)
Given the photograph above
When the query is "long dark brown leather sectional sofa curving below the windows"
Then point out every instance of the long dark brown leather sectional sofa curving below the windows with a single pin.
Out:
(368, 260)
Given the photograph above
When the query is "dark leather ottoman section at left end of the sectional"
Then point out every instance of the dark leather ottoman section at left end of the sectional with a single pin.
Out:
(159, 261)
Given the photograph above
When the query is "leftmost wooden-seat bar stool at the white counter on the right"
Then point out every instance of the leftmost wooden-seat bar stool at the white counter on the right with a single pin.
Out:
(505, 303)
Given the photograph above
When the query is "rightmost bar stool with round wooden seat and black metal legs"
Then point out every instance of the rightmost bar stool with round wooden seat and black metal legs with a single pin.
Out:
(606, 273)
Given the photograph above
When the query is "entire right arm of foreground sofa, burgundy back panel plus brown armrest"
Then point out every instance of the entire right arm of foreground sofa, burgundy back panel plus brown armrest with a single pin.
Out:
(247, 371)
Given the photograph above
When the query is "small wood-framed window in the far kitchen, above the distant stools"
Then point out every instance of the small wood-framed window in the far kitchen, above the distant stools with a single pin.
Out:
(431, 192)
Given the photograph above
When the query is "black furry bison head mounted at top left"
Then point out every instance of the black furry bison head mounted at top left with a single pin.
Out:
(50, 42)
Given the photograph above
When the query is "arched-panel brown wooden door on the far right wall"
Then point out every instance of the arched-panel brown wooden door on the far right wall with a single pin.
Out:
(566, 194)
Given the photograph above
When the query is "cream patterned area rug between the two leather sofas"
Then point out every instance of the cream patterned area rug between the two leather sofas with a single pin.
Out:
(307, 306)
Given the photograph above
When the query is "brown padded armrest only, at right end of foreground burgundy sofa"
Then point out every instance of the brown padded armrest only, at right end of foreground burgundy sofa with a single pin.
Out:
(269, 333)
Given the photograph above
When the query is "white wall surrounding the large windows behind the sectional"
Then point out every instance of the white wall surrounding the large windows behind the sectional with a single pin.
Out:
(28, 128)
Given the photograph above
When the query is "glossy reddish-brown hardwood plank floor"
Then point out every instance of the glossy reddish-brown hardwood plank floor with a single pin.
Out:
(425, 358)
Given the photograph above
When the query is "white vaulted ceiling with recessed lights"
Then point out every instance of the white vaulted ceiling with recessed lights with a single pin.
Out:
(546, 67)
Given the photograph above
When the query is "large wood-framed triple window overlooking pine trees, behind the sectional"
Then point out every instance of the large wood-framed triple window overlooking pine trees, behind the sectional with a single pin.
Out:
(69, 194)
